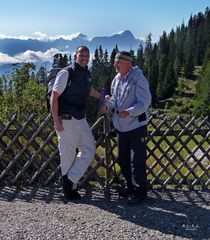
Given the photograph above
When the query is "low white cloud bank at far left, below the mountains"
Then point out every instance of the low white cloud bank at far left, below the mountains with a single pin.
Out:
(29, 56)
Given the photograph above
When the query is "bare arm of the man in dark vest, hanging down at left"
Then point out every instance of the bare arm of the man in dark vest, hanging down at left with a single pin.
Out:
(54, 110)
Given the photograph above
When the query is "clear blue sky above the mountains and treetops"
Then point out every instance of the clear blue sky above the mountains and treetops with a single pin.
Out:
(96, 17)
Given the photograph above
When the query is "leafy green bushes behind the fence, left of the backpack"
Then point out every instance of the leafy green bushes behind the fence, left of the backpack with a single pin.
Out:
(26, 95)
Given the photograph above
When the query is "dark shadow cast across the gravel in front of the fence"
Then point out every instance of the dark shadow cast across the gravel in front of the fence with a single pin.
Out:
(180, 213)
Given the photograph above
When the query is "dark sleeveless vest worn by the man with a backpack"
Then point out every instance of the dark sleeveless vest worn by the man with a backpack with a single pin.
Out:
(74, 99)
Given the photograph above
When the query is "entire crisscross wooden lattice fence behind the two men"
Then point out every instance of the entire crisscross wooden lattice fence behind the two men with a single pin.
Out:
(178, 153)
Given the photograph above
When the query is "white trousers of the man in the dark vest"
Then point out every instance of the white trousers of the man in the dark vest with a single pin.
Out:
(76, 135)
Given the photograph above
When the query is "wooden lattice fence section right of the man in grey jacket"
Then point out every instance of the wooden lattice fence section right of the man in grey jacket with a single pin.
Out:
(178, 152)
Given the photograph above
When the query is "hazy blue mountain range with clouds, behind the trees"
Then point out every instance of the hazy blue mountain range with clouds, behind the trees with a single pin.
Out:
(41, 51)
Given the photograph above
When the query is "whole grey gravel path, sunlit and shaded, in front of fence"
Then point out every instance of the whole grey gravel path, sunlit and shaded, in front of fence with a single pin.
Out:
(35, 213)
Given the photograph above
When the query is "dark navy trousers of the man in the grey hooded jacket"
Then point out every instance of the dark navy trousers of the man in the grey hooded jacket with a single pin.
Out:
(132, 157)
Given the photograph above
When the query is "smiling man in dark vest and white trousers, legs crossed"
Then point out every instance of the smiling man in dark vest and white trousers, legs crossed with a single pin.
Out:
(69, 101)
